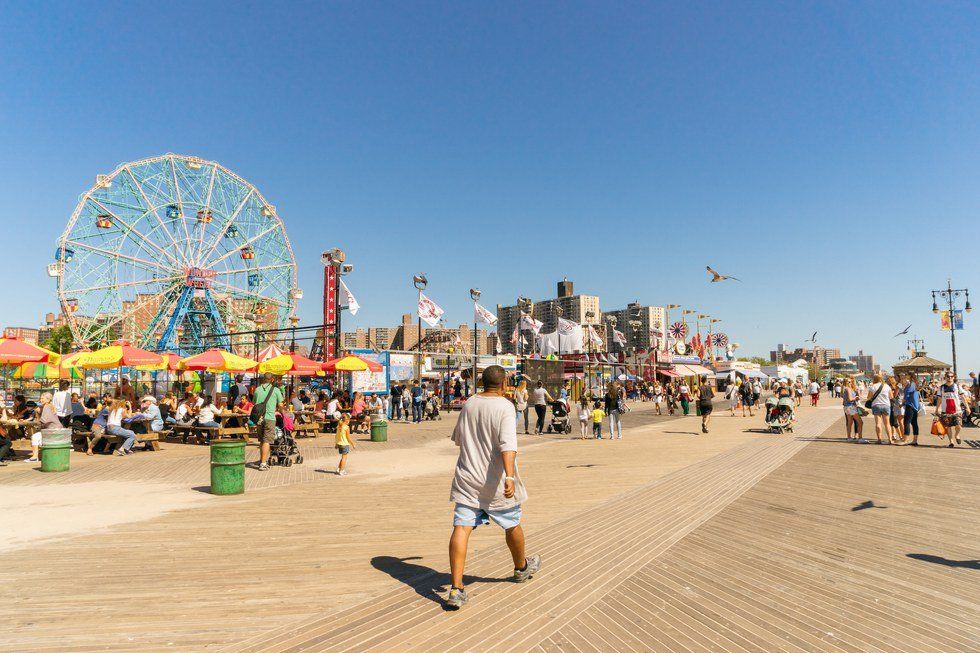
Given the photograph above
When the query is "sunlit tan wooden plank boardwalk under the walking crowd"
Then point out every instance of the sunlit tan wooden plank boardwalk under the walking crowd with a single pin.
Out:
(667, 541)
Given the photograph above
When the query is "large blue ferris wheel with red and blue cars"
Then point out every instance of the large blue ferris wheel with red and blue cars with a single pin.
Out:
(173, 253)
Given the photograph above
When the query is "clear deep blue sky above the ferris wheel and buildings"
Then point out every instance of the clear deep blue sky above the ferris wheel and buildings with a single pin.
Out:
(827, 154)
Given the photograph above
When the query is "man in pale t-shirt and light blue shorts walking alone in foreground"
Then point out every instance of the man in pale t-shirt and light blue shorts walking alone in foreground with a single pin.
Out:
(486, 485)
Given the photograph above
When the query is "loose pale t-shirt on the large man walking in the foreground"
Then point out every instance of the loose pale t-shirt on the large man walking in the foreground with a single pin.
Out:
(484, 430)
